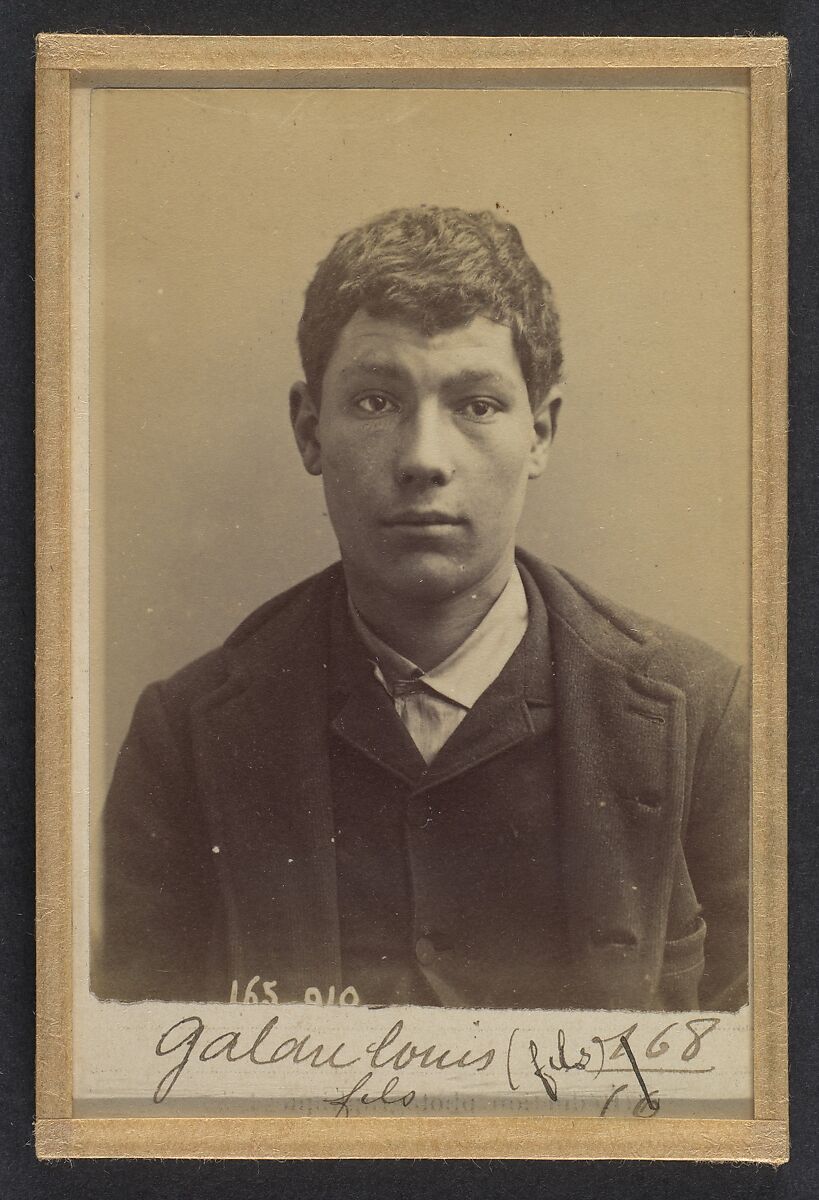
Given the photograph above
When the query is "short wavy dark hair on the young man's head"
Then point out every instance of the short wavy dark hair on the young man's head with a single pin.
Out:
(437, 269)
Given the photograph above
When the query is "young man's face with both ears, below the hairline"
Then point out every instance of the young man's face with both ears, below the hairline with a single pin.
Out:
(426, 446)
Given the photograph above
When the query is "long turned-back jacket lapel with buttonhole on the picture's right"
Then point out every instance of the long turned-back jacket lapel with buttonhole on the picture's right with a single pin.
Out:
(621, 769)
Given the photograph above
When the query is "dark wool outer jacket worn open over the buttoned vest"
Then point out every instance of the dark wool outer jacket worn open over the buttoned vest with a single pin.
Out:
(219, 830)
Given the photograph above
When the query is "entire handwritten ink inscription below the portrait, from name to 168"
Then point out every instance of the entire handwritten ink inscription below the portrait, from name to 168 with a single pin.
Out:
(392, 1070)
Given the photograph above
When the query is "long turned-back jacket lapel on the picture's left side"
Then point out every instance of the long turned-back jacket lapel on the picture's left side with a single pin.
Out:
(260, 746)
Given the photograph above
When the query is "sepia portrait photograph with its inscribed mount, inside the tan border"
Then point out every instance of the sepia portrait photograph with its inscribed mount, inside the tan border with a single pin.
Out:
(414, 596)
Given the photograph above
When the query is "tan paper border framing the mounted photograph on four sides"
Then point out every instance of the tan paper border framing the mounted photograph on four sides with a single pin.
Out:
(62, 58)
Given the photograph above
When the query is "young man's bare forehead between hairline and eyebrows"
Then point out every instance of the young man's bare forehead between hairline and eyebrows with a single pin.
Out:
(480, 344)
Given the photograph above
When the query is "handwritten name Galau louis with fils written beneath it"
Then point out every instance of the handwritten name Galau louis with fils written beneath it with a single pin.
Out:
(189, 1036)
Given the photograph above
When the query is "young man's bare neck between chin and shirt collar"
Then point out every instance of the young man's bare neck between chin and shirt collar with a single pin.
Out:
(427, 632)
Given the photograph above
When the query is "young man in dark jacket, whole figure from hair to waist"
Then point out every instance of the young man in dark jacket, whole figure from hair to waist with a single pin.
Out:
(441, 772)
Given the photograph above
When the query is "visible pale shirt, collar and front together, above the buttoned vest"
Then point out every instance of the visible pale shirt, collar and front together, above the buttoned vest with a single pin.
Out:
(433, 704)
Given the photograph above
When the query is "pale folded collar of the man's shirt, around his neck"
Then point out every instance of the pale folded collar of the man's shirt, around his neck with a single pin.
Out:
(473, 667)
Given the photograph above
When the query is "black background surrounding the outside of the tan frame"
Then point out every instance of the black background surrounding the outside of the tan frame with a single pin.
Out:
(21, 1175)
